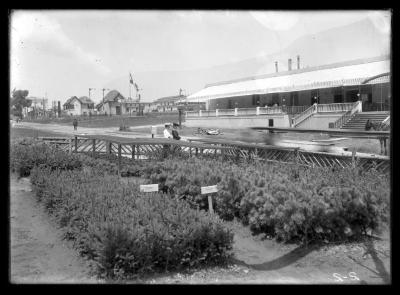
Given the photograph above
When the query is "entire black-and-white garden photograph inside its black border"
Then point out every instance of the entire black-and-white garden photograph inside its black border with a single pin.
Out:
(200, 147)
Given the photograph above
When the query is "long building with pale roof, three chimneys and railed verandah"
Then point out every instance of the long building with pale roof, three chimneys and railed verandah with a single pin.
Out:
(337, 87)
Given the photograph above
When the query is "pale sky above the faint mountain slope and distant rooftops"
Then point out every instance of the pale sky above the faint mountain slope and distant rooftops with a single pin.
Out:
(61, 53)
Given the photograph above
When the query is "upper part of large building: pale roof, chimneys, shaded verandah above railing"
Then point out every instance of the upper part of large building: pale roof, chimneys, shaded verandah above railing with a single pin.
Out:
(326, 84)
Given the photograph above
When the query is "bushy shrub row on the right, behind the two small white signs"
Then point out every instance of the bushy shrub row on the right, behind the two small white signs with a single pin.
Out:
(289, 202)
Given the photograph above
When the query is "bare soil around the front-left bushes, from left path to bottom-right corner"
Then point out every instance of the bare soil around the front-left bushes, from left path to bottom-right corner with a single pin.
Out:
(39, 255)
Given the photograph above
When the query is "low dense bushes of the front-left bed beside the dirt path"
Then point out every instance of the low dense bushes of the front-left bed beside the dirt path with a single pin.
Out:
(125, 231)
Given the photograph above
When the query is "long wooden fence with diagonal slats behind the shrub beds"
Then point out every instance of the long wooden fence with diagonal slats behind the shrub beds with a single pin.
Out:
(144, 148)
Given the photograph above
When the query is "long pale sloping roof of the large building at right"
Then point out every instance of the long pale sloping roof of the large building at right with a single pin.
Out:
(326, 76)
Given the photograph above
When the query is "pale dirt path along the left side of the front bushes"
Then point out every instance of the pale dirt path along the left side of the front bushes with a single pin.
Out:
(38, 254)
